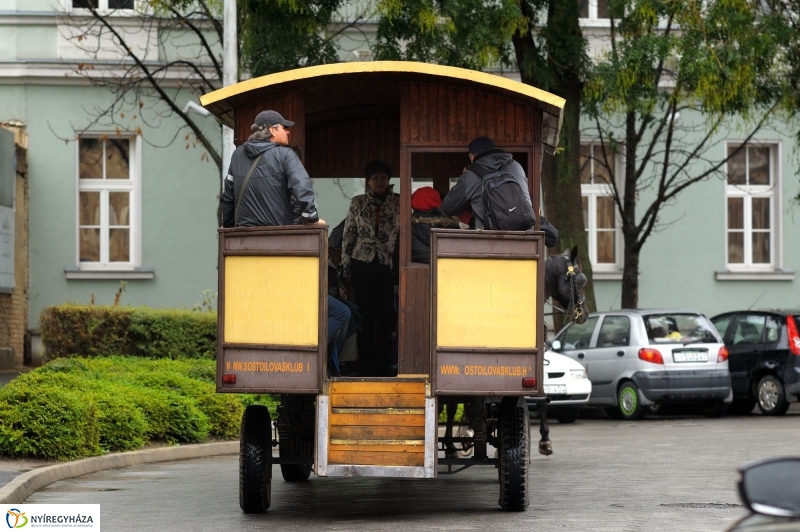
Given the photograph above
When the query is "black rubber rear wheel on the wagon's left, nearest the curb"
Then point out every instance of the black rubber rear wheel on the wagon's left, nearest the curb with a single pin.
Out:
(255, 460)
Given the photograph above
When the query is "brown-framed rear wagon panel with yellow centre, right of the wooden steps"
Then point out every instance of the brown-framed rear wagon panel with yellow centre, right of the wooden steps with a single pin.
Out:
(486, 319)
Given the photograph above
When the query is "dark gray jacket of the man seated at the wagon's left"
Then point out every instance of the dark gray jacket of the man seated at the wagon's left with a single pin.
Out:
(278, 184)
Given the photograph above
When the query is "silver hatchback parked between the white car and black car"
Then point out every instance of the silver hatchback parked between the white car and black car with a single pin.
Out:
(640, 359)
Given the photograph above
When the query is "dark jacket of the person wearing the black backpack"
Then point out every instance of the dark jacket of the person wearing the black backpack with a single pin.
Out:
(469, 191)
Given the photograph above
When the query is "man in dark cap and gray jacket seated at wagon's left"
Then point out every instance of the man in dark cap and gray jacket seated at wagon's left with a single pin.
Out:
(278, 185)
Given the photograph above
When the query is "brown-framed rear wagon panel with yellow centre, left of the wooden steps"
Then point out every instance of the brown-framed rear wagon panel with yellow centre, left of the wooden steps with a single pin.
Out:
(271, 331)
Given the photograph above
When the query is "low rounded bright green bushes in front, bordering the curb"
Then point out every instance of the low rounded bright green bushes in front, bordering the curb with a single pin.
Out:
(77, 407)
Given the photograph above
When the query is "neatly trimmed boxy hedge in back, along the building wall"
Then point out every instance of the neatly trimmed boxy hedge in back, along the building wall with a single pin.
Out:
(79, 330)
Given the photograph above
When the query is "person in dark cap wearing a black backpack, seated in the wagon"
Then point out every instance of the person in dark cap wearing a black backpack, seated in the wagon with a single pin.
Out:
(496, 188)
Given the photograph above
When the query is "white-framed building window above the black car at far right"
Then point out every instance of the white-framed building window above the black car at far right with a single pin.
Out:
(751, 207)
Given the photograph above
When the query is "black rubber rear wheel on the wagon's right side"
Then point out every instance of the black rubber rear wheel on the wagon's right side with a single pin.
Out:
(514, 455)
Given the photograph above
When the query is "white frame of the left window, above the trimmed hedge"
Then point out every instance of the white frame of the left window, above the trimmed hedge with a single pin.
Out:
(104, 186)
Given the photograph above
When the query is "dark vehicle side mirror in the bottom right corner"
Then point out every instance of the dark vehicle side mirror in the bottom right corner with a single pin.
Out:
(771, 488)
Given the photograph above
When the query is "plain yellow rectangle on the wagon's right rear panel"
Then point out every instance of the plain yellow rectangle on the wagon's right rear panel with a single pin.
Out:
(486, 303)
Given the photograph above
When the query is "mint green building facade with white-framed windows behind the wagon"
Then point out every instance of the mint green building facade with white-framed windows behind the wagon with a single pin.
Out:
(168, 257)
